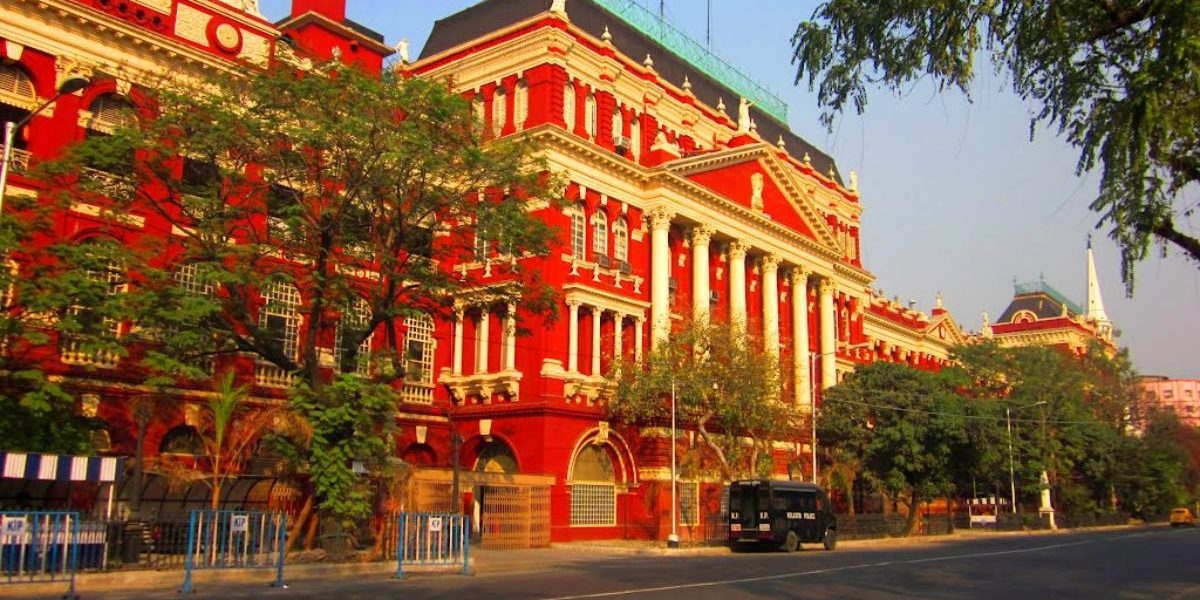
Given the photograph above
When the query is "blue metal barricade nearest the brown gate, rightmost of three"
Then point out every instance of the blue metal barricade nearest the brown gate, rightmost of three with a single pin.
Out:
(433, 539)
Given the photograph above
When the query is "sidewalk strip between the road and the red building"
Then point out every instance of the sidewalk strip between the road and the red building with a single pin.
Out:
(483, 562)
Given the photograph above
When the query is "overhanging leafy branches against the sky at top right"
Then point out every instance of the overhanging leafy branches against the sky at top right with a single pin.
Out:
(1117, 79)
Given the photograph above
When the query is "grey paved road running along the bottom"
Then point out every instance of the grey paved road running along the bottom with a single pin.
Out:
(1153, 563)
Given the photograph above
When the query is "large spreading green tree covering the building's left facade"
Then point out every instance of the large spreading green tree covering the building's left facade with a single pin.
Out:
(326, 193)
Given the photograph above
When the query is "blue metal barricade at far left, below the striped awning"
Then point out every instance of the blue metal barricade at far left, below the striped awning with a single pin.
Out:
(40, 547)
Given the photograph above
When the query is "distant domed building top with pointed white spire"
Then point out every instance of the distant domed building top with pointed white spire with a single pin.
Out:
(1040, 315)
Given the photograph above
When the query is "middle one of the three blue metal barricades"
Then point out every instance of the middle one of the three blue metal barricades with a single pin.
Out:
(231, 539)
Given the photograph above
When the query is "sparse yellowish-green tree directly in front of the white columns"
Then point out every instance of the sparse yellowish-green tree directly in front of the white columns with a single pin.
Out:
(724, 386)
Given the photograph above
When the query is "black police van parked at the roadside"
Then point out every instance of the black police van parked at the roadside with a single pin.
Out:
(784, 514)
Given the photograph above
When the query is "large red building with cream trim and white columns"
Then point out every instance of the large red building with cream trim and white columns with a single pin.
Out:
(688, 196)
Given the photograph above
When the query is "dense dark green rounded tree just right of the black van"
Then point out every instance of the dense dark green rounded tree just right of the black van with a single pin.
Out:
(908, 425)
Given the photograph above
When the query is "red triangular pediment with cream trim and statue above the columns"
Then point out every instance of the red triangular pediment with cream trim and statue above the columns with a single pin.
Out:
(757, 179)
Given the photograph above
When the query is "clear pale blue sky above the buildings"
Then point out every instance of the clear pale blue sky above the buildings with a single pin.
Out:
(958, 200)
